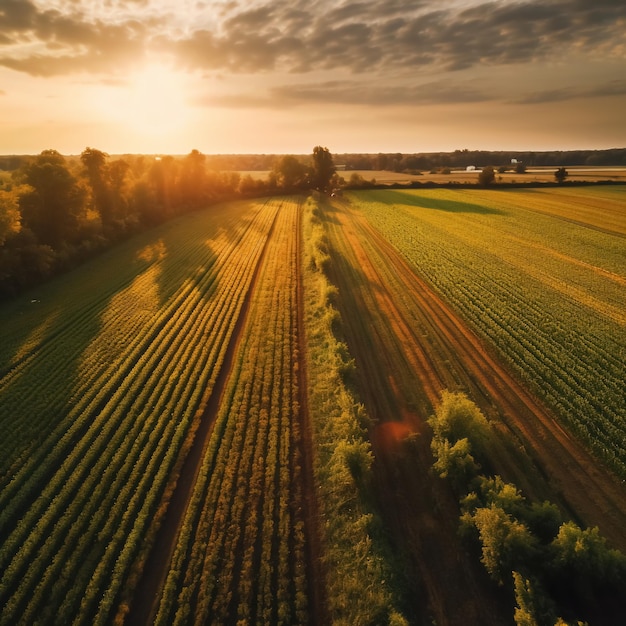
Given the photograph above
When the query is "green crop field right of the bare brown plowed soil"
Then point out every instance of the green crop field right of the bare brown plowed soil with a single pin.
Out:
(541, 275)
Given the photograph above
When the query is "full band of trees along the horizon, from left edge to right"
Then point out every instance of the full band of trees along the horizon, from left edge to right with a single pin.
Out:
(57, 211)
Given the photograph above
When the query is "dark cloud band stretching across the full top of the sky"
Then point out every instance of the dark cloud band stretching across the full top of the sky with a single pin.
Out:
(307, 36)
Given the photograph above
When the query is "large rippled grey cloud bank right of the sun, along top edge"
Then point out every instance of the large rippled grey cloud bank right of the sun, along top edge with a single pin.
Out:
(378, 35)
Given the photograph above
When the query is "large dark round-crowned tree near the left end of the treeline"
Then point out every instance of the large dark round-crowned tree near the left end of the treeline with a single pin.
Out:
(53, 207)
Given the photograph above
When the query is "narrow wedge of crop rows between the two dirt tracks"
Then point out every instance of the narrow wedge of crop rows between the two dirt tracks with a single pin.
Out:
(239, 556)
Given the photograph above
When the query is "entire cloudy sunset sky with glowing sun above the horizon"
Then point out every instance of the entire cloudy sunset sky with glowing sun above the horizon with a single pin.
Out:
(281, 76)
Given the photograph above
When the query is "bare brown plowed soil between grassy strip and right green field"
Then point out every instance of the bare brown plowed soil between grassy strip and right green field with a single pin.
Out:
(409, 346)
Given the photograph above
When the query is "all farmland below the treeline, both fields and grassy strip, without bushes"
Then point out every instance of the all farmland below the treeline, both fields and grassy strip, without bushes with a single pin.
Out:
(224, 419)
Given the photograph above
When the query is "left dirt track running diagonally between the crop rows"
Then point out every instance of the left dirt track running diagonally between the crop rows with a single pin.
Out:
(147, 593)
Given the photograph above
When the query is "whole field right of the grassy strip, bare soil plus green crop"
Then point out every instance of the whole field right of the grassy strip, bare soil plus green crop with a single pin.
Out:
(493, 294)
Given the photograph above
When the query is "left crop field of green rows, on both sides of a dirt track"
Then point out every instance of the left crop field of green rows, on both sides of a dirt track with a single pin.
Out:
(100, 396)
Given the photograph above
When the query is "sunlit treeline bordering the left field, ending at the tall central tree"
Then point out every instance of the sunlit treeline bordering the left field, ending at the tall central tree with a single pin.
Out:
(57, 211)
